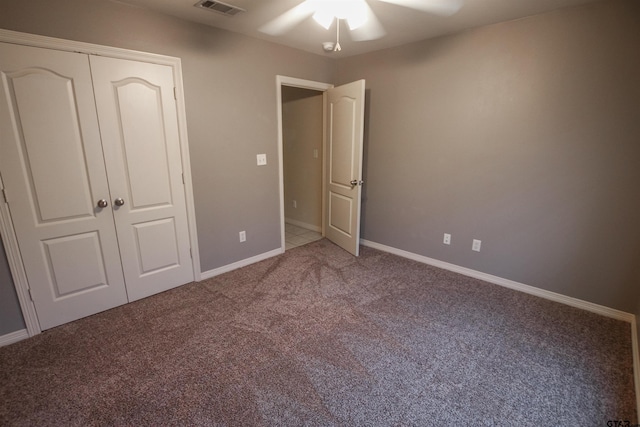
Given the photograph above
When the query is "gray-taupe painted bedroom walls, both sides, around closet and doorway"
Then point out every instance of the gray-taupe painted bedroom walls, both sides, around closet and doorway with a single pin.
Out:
(522, 134)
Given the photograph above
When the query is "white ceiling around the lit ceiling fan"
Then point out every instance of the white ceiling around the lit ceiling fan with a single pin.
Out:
(402, 25)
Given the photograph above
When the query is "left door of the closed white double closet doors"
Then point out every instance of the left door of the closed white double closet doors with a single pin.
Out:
(54, 175)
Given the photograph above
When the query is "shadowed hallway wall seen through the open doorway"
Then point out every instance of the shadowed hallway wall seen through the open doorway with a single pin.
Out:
(301, 134)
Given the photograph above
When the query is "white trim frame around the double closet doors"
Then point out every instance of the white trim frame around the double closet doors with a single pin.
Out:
(6, 226)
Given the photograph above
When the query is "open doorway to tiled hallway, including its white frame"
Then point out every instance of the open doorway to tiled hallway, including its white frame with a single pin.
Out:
(301, 123)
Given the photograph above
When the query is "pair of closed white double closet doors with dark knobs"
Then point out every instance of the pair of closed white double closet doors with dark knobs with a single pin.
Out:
(90, 161)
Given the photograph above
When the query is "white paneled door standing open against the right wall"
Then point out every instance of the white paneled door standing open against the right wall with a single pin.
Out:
(343, 174)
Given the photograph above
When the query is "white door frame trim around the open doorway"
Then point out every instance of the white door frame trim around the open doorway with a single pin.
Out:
(303, 84)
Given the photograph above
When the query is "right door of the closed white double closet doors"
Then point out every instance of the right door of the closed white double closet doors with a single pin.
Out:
(138, 122)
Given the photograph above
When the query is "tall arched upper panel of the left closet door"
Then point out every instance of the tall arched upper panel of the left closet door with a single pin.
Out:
(52, 144)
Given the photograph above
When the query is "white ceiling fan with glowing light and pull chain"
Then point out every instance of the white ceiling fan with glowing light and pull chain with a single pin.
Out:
(361, 20)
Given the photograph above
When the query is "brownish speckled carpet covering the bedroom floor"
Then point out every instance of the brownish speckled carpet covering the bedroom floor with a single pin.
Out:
(317, 337)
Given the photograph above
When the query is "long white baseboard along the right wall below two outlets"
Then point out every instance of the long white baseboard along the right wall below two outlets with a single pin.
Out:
(553, 296)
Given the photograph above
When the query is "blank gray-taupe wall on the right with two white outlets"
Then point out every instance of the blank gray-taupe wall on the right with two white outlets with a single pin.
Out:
(524, 135)
